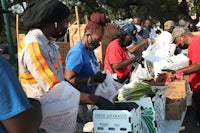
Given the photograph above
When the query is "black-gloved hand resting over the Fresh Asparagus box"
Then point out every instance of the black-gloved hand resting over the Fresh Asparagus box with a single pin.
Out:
(103, 103)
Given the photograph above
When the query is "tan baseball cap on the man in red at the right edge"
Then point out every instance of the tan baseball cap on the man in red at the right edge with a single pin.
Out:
(178, 31)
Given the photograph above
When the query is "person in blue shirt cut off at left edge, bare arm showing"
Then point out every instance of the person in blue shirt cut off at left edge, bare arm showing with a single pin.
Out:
(17, 115)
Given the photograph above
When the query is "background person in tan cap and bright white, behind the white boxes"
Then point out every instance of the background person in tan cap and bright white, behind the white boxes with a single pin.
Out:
(166, 35)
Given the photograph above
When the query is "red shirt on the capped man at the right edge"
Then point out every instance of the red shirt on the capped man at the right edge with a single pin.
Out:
(194, 56)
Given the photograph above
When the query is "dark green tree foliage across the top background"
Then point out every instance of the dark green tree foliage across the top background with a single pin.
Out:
(157, 10)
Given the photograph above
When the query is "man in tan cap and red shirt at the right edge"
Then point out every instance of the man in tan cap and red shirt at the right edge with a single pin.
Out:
(183, 38)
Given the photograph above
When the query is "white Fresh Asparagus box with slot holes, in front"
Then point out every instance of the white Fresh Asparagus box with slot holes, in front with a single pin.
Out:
(117, 121)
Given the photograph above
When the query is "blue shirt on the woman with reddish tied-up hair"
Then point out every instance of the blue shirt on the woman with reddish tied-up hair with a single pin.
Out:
(83, 62)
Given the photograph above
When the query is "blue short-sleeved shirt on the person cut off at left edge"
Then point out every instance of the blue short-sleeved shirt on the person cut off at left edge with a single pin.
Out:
(13, 99)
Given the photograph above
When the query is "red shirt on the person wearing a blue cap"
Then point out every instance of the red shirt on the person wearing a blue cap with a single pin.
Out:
(116, 54)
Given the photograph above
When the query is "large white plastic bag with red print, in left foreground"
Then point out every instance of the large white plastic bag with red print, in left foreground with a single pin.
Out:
(59, 108)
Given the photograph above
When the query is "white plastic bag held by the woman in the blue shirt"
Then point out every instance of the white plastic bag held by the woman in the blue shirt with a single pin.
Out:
(108, 88)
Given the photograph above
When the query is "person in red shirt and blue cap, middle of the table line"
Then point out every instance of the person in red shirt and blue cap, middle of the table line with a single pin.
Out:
(117, 59)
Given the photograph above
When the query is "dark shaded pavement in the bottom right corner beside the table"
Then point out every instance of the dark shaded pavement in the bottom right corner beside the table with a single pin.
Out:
(189, 124)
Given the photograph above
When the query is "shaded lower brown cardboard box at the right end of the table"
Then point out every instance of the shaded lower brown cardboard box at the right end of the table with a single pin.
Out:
(175, 109)
